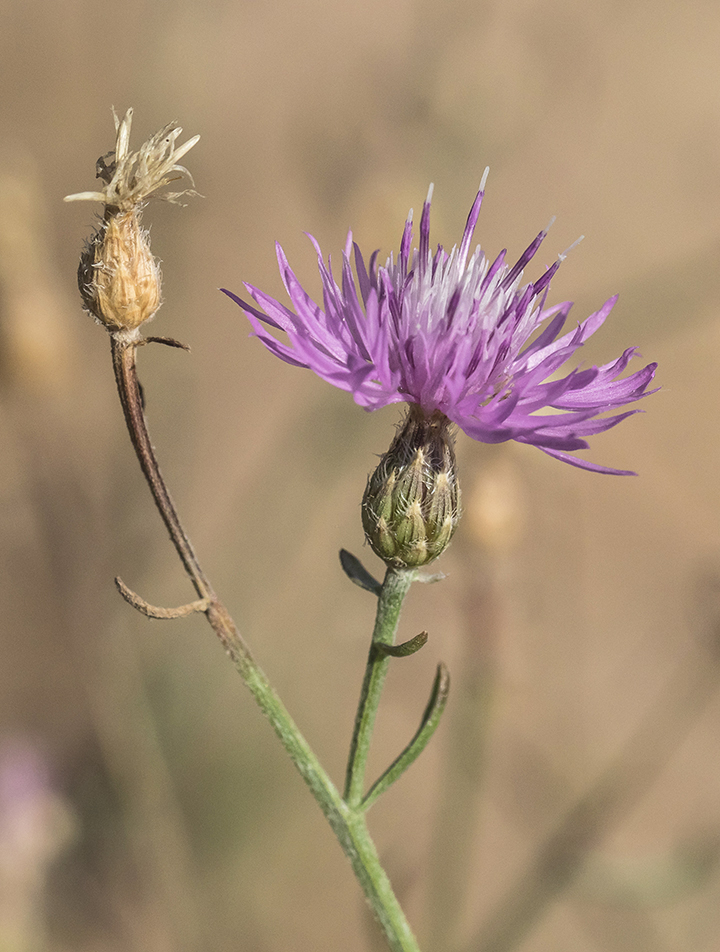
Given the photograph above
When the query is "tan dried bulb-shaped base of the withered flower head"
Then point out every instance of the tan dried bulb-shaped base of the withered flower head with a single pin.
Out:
(118, 277)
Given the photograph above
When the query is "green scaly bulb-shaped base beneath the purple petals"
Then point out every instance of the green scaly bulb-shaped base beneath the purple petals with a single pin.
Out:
(411, 505)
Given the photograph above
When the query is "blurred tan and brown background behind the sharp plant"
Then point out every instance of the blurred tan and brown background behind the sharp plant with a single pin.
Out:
(570, 802)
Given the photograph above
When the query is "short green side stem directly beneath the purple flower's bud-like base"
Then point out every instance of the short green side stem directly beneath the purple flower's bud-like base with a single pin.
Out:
(394, 589)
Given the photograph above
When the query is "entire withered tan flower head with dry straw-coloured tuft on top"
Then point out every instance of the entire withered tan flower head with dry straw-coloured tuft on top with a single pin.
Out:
(118, 277)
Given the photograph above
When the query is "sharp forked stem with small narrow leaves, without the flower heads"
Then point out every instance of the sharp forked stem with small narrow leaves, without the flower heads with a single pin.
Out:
(346, 816)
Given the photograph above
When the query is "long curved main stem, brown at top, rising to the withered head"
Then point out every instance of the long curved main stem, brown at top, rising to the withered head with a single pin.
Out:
(347, 823)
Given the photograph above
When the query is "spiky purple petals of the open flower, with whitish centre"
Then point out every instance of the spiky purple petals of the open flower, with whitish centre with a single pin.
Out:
(456, 334)
